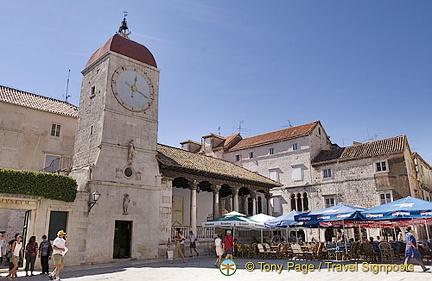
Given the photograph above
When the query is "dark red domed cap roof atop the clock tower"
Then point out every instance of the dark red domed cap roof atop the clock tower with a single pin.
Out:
(126, 47)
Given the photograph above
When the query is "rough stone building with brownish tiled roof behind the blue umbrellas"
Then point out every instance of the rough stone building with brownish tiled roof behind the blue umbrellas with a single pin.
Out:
(366, 174)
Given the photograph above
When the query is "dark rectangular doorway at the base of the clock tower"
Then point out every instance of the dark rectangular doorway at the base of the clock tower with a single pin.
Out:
(122, 239)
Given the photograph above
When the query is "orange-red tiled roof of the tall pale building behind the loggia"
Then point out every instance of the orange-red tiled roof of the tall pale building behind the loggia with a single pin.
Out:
(275, 136)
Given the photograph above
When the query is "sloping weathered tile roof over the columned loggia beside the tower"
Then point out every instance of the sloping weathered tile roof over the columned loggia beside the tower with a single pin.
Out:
(180, 159)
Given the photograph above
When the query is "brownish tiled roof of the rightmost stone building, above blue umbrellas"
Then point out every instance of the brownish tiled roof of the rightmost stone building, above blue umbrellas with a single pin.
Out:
(370, 149)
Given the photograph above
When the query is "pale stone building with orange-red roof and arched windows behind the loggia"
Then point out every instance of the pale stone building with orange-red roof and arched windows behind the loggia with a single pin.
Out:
(284, 156)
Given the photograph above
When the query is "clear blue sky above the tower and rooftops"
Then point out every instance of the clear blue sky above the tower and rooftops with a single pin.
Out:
(363, 68)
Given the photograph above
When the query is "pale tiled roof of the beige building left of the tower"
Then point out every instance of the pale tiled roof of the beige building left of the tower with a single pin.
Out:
(21, 98)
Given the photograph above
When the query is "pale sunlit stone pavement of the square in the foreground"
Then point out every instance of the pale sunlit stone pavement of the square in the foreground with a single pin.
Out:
(202, 268)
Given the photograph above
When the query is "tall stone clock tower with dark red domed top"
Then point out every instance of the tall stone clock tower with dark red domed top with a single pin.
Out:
(115, 148)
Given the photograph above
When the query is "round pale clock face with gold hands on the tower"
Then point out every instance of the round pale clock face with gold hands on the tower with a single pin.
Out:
(132, 89)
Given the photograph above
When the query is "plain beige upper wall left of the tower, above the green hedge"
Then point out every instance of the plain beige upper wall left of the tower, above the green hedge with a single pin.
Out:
(25, 137)
